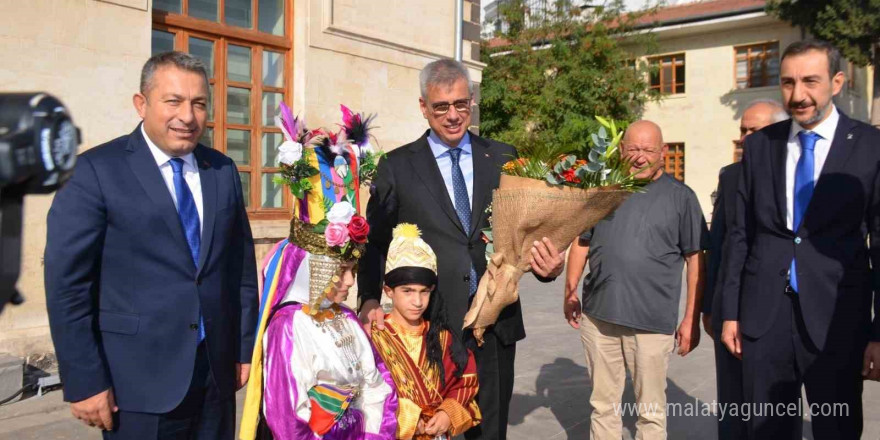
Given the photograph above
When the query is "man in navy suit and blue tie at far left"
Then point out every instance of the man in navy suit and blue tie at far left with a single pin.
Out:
(150, 272)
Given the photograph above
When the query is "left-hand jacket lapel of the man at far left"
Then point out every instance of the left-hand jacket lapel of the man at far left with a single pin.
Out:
(144, 168)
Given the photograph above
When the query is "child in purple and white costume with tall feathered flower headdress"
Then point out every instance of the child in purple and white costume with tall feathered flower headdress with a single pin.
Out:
(315, 374)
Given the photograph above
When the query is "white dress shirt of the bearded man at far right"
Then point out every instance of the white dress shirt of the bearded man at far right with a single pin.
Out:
(823, 145)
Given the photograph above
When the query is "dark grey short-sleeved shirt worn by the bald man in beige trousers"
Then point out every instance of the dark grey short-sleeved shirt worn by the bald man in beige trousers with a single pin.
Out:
(637, 256)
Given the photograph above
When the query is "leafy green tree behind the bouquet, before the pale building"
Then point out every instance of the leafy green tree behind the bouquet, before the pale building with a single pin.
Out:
(545, 83)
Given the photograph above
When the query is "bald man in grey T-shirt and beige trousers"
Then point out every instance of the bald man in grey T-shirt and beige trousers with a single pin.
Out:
(630, 298)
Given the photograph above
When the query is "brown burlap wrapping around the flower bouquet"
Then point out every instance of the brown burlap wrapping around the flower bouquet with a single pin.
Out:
(524, 211)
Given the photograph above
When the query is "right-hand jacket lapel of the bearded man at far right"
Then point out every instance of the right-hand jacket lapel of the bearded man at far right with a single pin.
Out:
(825, 195)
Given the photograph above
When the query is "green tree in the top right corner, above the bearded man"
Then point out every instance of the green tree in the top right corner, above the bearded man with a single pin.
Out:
(851, 25)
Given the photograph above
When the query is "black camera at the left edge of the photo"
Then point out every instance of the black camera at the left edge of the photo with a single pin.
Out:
(38, 144)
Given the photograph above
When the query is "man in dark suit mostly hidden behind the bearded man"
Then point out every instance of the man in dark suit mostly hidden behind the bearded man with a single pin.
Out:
(728, 369)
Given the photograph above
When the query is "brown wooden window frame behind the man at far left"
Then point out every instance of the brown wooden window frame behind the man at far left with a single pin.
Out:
(183, 27)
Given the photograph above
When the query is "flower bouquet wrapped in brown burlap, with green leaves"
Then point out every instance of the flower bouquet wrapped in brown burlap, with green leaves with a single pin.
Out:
(554, 197)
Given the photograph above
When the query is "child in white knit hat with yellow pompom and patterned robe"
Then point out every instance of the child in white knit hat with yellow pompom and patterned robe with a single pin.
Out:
(435, 374)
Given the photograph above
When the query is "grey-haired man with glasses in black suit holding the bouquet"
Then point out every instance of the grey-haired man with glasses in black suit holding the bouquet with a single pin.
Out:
(443, 183)
